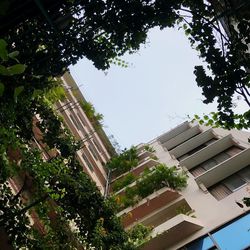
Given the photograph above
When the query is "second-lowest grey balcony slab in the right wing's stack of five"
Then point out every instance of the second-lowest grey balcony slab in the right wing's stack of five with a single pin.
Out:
(207, 152)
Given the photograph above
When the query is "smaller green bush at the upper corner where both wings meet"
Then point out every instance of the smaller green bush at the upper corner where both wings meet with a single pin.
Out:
(123, 162)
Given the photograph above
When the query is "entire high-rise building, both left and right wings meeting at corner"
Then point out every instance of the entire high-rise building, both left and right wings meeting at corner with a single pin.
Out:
(208, 213)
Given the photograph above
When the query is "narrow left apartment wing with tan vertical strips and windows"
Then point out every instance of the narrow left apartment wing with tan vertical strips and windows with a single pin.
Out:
(96, 149)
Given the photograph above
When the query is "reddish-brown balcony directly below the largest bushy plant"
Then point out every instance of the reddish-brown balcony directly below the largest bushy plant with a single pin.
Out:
(163, 202)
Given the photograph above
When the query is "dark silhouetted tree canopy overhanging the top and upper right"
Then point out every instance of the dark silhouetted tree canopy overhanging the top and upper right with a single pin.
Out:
(51, 36)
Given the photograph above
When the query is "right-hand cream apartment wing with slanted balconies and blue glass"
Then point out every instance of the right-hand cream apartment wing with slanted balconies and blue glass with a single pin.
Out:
(208, 213)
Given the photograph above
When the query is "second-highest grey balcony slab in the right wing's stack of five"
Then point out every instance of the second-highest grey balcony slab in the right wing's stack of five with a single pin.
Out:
(182, 137)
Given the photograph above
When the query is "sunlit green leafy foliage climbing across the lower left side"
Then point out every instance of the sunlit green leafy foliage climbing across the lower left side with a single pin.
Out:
(55, 193)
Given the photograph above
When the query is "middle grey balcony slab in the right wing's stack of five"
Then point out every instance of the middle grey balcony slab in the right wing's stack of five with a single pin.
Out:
(192, 143)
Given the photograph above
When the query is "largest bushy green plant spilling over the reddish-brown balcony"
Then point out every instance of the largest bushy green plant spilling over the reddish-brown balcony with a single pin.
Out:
(149, 182)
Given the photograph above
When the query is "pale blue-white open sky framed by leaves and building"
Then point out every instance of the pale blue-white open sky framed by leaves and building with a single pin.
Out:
(154, 94)
